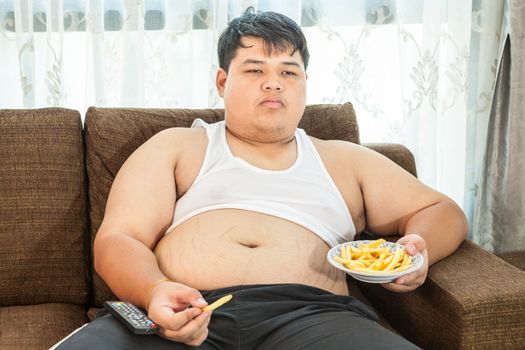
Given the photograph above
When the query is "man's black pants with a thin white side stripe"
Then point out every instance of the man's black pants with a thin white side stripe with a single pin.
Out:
(282, 316)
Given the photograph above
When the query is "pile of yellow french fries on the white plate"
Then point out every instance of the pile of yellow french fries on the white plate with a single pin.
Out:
(370, 257)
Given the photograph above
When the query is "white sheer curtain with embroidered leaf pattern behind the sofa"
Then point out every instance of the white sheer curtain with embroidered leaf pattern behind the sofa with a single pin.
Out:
(420, 73)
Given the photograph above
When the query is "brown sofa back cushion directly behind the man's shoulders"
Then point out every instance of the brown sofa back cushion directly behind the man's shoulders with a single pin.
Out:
(112, 134)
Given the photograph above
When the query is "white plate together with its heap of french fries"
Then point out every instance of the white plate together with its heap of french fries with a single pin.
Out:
(375, 261)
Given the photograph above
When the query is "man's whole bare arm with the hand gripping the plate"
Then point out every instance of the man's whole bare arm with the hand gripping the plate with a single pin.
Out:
(395, 202)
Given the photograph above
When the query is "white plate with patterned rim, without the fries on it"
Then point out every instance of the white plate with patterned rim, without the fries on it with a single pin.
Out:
(373, 277)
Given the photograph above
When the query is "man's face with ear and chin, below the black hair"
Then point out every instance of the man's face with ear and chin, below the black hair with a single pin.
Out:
(264, 96)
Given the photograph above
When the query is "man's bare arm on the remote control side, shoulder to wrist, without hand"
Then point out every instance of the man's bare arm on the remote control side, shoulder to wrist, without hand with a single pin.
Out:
(139, 208)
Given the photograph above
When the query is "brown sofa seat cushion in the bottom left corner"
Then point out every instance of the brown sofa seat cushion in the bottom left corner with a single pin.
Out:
(38, 326)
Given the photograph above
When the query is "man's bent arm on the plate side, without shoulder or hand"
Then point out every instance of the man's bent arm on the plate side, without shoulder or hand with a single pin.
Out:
(397, 203)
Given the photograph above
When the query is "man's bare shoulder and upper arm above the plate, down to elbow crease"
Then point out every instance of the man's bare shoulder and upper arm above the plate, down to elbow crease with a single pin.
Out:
(390, 194)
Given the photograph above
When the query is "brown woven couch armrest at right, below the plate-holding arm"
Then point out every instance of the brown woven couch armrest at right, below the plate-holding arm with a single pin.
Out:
(471, 300)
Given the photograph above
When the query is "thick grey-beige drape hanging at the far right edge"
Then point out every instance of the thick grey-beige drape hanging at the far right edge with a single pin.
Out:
(499, 224)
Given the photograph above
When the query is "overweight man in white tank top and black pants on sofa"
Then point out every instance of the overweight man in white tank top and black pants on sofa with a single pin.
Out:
(250, 207)
